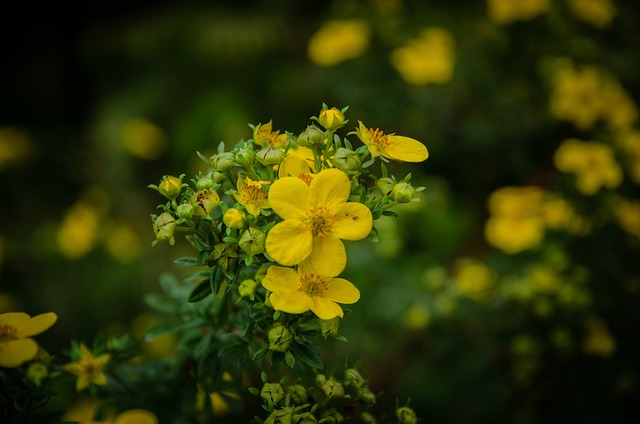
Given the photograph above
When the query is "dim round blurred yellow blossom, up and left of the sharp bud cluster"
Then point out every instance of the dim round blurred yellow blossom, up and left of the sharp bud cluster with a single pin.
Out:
(143, 139)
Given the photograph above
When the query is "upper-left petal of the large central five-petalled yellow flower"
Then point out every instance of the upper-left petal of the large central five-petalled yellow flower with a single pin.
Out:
(289, 198)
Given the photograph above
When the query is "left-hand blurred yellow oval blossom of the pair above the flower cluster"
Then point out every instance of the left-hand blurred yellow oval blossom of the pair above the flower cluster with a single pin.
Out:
(339, 40)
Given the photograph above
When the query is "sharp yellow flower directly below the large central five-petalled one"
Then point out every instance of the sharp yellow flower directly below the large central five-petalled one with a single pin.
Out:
(296, 292)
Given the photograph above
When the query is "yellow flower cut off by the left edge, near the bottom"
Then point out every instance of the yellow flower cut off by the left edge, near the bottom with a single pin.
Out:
(16, 329)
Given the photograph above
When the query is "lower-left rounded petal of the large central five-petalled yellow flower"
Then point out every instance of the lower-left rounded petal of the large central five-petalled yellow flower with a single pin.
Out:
(289, 242)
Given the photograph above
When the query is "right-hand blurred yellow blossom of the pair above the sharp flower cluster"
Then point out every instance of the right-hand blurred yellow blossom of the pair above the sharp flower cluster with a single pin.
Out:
(429, 58)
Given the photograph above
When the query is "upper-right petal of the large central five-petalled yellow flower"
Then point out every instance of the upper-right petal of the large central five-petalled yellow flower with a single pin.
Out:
(330, 188)
